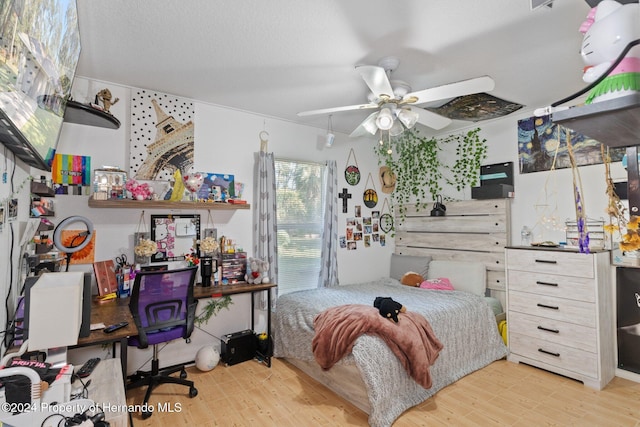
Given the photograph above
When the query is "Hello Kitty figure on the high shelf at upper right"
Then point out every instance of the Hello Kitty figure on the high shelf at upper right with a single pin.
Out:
(609, 27)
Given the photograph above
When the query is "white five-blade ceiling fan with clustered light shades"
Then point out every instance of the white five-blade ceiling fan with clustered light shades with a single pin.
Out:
(396, 106)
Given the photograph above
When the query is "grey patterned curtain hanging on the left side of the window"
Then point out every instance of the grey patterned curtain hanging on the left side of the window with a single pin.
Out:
(265, 223)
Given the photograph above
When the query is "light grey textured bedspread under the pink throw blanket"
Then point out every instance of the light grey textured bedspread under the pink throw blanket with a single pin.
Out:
(463, 322)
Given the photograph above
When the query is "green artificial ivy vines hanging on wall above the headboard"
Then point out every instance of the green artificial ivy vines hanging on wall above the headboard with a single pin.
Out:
(419, 170)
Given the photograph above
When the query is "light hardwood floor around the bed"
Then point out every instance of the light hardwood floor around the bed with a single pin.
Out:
(502, 394)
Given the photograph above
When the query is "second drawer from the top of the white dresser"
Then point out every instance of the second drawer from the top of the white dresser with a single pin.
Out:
(576, 288)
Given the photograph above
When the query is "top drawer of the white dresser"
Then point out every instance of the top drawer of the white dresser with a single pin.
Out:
(551, 262)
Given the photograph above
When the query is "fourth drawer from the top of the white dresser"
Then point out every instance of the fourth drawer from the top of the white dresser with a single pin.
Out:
(554, 331)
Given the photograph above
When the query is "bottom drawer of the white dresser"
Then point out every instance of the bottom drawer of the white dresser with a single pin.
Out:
(571, 359)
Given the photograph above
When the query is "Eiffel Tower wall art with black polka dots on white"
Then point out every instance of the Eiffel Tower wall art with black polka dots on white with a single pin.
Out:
(161, 139)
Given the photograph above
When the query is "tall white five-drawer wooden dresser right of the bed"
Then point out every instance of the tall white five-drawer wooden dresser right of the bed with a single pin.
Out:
(560, 312)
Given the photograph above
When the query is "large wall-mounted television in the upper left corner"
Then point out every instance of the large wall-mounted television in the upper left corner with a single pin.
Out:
(39, 52)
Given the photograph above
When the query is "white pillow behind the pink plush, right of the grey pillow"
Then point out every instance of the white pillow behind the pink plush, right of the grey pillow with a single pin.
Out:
(468, 276)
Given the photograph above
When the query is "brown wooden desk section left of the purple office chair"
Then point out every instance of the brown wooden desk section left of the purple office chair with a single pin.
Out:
(111, 312)
